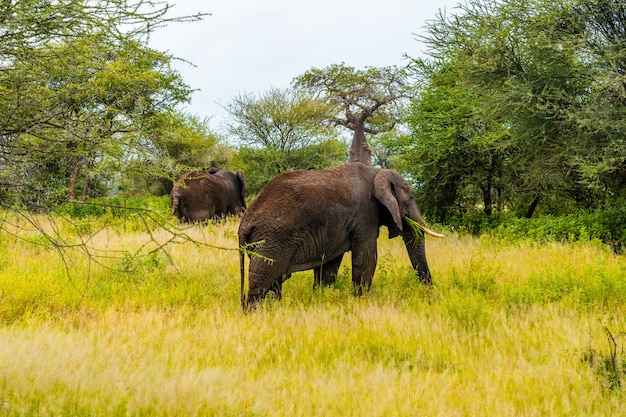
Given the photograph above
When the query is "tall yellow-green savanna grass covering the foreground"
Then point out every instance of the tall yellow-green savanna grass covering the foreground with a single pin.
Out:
(508, 329)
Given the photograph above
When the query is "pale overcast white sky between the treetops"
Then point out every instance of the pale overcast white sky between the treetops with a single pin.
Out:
(250, 46)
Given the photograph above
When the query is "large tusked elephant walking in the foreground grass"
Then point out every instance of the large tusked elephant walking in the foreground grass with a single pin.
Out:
(309, 219)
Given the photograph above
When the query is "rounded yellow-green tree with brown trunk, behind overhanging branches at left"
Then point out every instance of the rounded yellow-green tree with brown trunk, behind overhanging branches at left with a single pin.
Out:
(110, 96)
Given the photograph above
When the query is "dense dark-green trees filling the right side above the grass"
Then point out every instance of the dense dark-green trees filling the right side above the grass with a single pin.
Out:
(520, 106)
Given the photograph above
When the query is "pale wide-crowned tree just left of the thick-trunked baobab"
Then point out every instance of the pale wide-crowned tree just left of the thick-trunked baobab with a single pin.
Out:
(280, 130)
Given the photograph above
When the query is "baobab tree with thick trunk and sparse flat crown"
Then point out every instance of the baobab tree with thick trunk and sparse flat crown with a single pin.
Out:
(365, 101)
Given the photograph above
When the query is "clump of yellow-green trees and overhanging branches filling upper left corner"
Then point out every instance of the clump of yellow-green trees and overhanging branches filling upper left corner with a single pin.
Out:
(78, 87)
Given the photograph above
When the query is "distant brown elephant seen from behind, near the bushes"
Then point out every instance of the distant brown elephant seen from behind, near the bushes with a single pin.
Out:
(208, 194)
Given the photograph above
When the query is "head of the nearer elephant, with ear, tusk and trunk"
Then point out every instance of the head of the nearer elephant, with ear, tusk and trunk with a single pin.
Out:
(404, 218)
